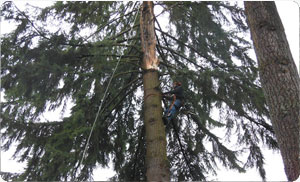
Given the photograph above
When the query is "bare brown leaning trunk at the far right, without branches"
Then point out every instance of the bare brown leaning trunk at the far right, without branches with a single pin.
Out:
(279, 78)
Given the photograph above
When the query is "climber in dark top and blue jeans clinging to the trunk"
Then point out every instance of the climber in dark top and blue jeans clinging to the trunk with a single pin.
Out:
(177, 101)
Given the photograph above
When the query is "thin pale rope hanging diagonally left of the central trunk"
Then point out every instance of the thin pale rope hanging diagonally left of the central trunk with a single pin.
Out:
(100, 107)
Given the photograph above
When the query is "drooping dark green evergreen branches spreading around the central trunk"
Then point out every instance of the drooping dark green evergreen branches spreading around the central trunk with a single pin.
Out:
(66, 53)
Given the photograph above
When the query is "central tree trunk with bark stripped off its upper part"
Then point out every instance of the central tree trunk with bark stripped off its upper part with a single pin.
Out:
(156, 155)
